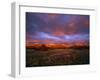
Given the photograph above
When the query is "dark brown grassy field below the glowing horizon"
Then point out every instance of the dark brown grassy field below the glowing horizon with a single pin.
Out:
(54, 57)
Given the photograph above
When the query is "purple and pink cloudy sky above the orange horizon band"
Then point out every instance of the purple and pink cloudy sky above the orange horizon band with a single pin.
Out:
(56, 28)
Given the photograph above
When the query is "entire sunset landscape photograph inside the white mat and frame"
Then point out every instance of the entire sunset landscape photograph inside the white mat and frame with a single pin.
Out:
(57, 39)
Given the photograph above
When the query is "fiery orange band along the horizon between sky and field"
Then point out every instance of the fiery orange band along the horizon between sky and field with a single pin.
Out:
(57, 46)
